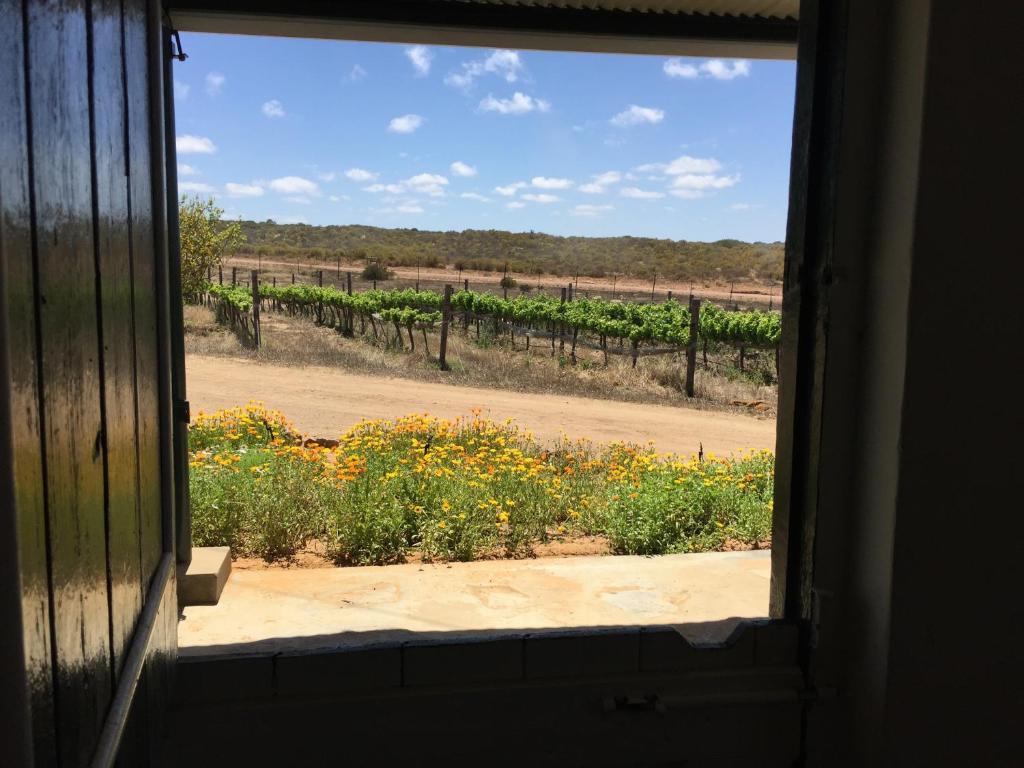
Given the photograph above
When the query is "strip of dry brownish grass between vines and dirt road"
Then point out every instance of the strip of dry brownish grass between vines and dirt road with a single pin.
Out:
(656, 379)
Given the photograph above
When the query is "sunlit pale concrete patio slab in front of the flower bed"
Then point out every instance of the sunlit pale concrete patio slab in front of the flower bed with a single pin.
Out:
(307, 610)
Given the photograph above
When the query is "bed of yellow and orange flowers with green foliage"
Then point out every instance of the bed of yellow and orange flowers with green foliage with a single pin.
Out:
(458, 491)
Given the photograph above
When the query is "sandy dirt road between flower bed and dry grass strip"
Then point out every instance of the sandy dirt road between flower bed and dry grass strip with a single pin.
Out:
(324, 402)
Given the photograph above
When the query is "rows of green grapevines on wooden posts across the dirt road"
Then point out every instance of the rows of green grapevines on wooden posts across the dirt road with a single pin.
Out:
(612, 327)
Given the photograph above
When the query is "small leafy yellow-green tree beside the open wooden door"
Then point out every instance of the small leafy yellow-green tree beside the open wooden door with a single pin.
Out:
(206, 240)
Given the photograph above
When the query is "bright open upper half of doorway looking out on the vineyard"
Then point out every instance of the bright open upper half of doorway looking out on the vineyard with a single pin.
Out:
(397, 295)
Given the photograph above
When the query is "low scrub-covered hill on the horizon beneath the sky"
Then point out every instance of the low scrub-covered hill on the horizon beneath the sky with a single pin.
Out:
(533, 253)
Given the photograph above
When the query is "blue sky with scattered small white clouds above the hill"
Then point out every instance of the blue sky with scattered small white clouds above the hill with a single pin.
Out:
(329, 133)
